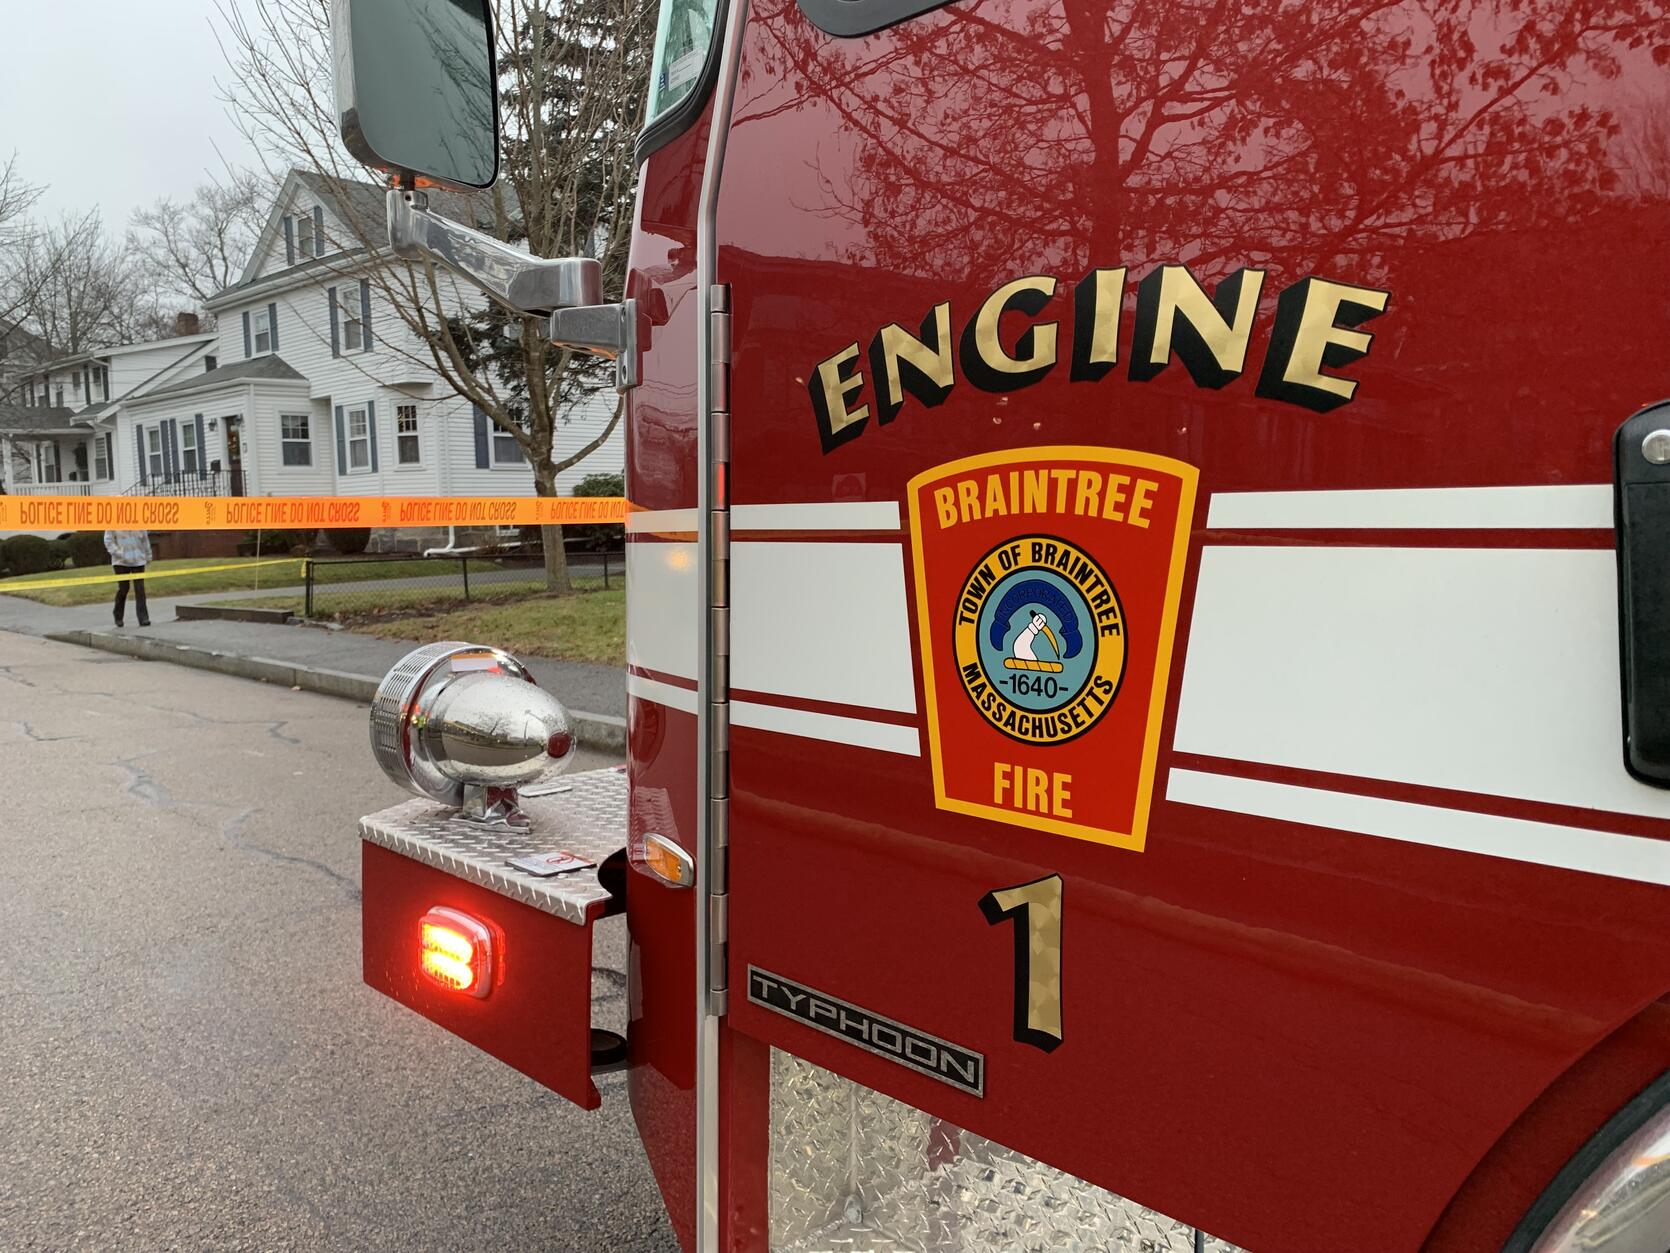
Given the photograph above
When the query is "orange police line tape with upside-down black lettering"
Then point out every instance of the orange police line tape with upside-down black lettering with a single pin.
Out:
(248, 514)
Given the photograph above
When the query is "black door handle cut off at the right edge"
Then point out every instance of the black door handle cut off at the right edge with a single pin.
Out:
(1641, 459)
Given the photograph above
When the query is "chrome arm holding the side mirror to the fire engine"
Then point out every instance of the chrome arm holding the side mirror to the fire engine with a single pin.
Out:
(569, 290)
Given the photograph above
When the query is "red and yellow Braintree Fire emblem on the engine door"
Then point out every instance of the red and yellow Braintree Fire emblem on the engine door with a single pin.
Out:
(1048, 587)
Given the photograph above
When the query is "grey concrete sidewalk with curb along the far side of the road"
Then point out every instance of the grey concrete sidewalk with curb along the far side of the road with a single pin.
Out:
(313, 659)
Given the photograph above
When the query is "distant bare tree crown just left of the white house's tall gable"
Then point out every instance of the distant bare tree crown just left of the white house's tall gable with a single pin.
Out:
(195, 248)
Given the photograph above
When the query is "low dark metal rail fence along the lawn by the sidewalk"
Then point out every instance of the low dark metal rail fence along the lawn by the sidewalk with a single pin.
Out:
(347, 587)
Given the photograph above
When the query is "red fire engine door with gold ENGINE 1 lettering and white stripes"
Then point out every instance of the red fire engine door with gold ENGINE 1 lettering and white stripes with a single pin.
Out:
(1173, 651)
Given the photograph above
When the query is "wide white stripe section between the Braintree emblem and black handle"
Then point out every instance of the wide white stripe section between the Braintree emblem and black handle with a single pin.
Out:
(1474, 669)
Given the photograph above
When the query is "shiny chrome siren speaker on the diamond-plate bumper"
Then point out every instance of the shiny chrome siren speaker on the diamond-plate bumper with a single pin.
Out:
(468, 726)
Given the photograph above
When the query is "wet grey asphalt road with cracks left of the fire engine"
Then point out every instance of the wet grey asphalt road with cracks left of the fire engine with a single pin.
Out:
(188, 1055)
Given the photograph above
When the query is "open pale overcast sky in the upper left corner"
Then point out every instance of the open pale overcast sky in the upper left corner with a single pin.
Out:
(113, 103)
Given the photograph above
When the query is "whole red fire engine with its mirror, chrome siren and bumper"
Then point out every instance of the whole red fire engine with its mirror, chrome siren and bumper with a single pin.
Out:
(1150, 626)
